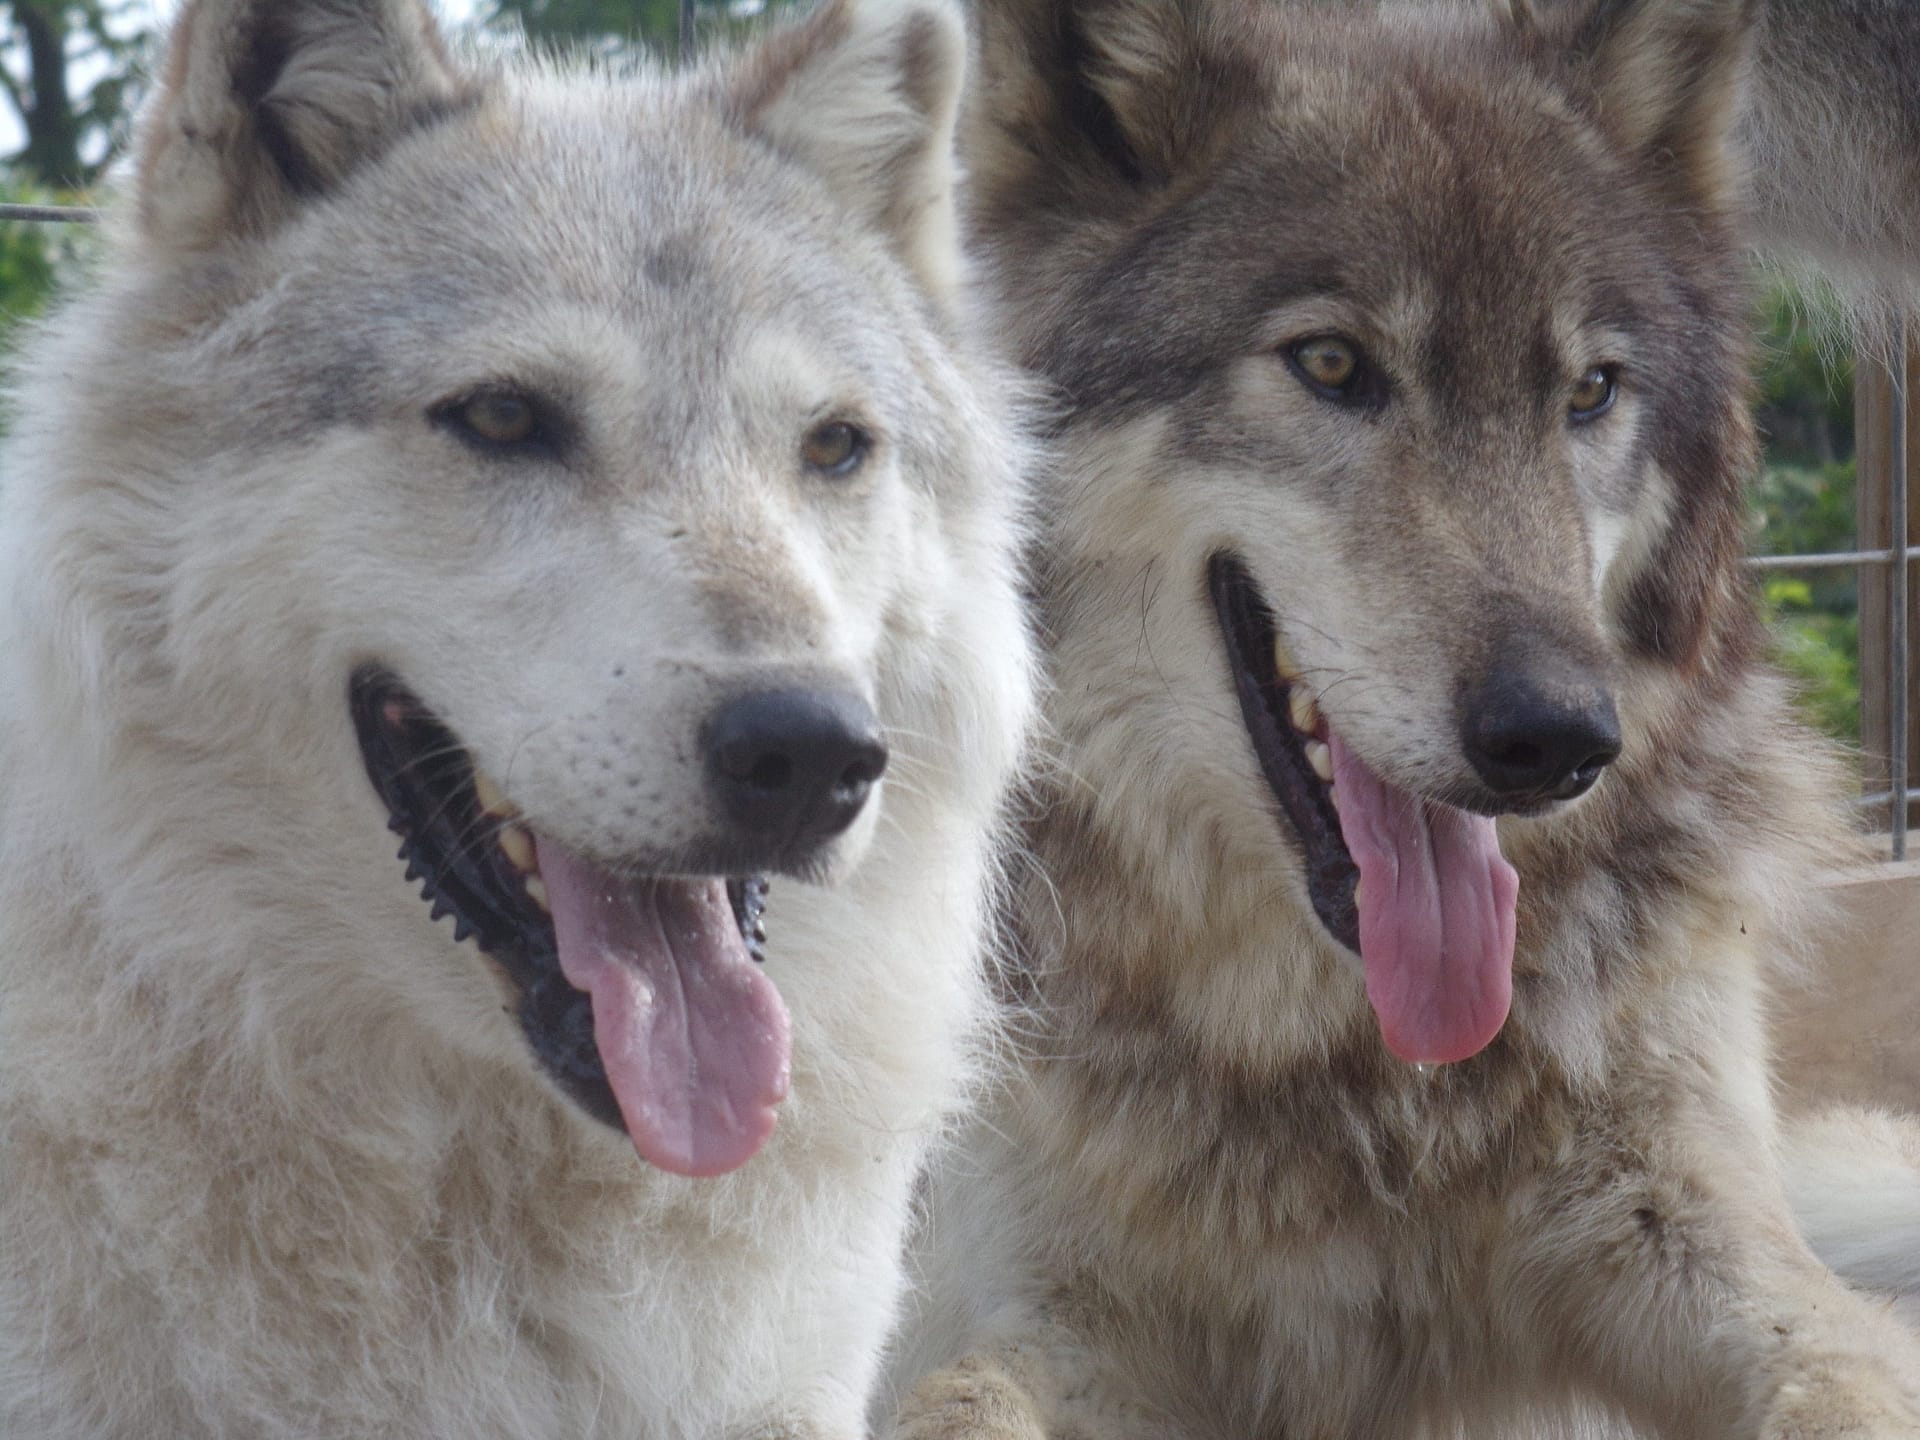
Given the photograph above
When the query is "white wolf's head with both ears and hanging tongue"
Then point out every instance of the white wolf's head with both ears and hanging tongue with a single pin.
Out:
(587, 464)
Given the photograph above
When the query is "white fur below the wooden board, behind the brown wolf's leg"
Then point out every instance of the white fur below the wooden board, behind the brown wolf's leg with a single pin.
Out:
(1854, 1180)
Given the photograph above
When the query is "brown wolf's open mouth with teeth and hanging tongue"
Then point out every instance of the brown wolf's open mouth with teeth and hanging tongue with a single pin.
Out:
(1414, 886)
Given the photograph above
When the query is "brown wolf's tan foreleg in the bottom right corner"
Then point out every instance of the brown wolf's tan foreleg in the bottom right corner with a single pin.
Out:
(1685, 1293)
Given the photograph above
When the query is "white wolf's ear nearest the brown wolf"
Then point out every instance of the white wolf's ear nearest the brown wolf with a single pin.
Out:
(867, 93)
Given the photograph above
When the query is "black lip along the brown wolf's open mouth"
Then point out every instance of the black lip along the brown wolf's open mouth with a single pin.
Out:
(1247, 627)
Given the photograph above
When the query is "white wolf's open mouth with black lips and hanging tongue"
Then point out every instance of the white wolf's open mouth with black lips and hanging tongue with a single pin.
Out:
(640, 996)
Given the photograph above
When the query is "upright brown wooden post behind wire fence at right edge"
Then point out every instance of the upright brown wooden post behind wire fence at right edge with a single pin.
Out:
(1873, 400)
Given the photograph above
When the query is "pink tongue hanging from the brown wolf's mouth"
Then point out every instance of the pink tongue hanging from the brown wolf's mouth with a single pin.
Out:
(1435, 915)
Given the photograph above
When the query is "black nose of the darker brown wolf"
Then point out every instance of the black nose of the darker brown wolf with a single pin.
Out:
(1541, 732)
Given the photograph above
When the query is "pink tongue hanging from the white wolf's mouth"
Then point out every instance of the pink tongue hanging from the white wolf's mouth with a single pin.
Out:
(694, 1038)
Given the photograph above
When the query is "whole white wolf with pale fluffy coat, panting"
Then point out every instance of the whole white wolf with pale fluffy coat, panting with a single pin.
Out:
(600, 492)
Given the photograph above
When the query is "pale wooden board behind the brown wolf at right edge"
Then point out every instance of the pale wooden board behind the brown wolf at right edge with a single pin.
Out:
(1852, 1028)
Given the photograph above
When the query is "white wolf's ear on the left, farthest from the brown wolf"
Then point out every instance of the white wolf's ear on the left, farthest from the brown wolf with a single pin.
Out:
(266, 103)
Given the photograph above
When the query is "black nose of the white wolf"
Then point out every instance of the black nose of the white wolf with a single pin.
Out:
(794, 767)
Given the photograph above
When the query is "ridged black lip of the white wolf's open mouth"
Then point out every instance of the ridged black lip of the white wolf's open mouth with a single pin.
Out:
(427, 782)
